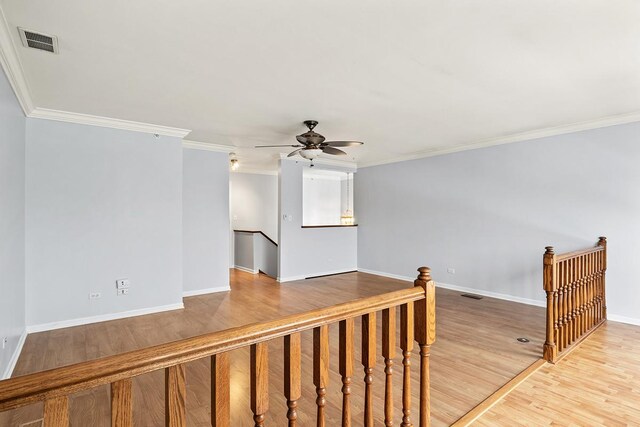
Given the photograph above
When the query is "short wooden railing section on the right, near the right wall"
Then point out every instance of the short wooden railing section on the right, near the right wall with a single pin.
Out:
(576, 297)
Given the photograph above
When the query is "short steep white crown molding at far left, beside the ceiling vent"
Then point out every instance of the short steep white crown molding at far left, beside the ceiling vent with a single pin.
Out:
(13, 67)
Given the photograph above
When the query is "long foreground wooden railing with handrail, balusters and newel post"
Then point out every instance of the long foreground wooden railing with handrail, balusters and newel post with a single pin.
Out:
(417, 308)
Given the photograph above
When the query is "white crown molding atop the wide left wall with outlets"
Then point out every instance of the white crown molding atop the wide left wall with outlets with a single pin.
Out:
(87, 119)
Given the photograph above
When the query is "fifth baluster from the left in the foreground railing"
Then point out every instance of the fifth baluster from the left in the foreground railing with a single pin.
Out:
(259, 382)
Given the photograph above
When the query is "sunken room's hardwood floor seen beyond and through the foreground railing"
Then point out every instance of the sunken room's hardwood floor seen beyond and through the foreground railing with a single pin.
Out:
(476, 352)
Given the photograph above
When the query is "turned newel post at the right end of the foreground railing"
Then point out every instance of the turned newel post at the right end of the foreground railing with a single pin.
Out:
(425, 335)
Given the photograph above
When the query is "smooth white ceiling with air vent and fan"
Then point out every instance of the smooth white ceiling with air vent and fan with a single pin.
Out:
(407, 78)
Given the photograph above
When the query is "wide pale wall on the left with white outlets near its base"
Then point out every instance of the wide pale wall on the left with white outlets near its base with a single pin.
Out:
(101, 204)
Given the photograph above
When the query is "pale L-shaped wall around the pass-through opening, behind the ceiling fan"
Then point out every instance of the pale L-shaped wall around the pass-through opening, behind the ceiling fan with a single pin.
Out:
(305, 252)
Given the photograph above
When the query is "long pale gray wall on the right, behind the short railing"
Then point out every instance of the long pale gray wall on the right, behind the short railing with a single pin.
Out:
(489, 213)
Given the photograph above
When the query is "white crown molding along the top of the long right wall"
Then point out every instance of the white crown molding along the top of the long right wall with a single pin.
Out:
(516, 137)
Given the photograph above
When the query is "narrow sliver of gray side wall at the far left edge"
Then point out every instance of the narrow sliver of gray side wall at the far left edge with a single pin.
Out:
(12, 229)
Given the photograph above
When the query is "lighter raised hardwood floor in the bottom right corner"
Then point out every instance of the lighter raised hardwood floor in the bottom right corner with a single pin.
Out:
(598, 384)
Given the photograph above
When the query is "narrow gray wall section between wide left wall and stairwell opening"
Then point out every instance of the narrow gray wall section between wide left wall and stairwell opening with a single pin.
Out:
(205, 221)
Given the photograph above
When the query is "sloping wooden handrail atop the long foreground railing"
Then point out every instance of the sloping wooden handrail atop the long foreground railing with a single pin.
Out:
(24, 390)
